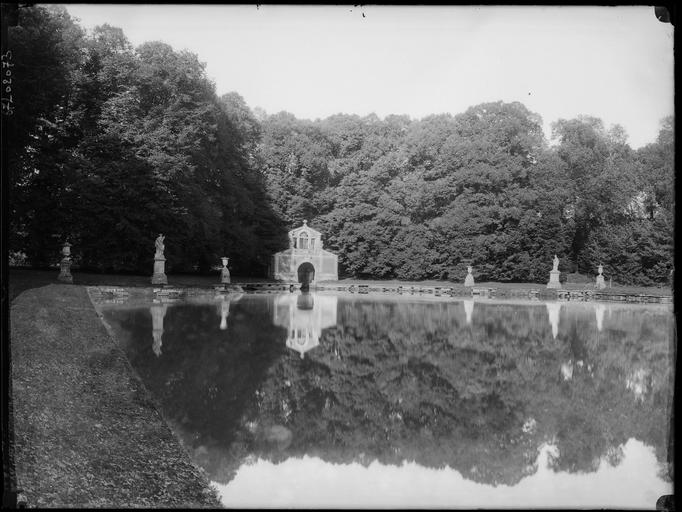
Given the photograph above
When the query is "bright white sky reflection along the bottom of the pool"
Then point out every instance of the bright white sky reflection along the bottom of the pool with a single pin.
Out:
(314, 483)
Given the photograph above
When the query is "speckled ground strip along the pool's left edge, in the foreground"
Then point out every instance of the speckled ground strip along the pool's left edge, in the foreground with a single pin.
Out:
(87, 433)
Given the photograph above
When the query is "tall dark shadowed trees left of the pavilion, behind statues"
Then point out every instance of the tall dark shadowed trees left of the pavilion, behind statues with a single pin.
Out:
(133, 142)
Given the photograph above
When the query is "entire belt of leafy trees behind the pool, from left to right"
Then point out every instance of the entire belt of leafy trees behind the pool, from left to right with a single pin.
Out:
(113, 144)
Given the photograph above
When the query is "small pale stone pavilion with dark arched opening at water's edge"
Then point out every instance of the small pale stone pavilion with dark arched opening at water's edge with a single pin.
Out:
(305, 260)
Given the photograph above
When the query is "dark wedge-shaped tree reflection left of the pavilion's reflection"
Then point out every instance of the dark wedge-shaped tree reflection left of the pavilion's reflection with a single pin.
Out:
(207, 377)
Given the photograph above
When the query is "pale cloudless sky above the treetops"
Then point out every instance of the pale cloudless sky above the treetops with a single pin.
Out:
(615, 63)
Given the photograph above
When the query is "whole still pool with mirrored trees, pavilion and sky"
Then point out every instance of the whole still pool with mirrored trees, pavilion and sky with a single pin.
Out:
(323, 400)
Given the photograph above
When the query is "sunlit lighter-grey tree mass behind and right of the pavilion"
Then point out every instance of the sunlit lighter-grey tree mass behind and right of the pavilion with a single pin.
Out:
(417, 199)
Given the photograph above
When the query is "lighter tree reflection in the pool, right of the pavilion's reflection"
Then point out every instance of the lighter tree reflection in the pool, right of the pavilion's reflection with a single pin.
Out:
(424, 387)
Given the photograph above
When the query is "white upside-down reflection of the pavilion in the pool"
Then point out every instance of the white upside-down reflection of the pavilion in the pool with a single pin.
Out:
(304, 316)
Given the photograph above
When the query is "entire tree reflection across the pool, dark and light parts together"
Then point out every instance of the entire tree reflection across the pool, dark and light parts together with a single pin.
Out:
(394, 382)
